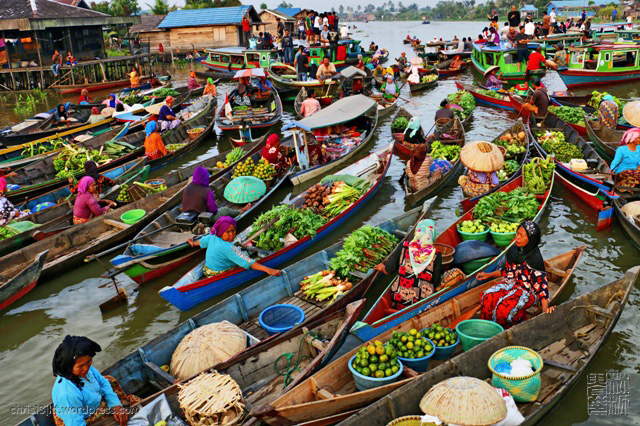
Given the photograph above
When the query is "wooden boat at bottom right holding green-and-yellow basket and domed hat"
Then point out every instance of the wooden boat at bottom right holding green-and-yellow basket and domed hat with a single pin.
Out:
(574, 333)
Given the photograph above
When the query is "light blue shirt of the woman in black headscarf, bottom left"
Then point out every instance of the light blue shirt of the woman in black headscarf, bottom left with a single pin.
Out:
(74, 405)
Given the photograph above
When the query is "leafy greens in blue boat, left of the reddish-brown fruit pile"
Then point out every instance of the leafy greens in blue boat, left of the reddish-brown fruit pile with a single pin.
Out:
(299, 222)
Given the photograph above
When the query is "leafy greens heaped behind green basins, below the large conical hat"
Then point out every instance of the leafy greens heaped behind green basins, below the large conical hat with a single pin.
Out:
(514, 206)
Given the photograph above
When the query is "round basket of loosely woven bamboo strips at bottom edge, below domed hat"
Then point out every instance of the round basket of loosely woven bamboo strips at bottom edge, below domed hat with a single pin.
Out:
(212, 399)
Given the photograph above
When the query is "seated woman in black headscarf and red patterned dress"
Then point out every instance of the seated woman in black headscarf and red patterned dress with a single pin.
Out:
(524, 281)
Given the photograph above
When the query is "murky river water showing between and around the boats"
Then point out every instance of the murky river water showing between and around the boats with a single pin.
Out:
(68, 304)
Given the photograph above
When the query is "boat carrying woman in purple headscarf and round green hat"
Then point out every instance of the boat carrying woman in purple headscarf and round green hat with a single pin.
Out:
(159, 253)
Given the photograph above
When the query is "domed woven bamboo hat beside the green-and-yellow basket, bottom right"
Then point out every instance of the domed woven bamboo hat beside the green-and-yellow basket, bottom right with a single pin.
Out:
(464, 401)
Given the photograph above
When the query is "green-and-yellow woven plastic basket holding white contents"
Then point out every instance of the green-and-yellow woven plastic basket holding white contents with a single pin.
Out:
(523, 389)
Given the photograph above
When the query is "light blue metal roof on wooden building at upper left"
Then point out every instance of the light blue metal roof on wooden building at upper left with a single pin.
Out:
(200, 17)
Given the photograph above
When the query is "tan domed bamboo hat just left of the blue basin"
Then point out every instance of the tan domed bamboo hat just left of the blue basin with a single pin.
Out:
(205, 347)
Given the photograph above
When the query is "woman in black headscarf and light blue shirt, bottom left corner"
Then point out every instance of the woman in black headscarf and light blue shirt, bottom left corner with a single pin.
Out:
(81, 395)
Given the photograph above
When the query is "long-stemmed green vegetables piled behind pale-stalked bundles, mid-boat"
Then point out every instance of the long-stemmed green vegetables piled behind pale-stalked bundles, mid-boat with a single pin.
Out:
(363, 249)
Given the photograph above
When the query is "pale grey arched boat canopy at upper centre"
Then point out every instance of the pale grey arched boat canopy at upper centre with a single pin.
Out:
(339, 112)
